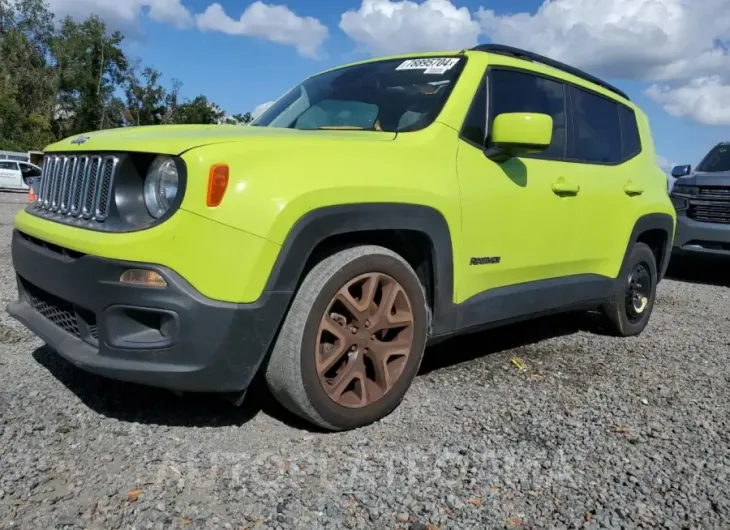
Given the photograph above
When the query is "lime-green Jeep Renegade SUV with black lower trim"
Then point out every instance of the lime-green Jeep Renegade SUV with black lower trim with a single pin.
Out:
(373, 209)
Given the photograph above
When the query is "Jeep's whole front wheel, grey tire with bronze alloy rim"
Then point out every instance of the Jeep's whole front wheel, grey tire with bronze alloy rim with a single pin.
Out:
(352, 341)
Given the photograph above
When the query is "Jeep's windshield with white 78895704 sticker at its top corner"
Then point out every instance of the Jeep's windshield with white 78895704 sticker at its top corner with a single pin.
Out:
(390, 95)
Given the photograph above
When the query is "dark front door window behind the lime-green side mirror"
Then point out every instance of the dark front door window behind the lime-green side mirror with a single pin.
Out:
(513, 91)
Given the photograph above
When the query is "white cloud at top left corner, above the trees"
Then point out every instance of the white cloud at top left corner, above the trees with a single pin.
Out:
(124, 14)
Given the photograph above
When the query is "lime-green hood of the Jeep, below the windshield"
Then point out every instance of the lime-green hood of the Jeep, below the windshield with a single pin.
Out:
(176, 139)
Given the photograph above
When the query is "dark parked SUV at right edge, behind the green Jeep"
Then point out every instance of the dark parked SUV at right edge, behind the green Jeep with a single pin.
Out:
(702, 202)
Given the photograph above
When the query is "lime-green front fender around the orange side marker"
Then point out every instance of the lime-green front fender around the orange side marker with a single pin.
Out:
(269, 192)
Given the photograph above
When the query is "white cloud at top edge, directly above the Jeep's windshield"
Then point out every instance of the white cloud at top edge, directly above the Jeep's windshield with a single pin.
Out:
(389, 27)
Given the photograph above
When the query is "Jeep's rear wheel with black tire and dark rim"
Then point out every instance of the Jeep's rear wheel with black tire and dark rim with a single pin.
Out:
(627, 313)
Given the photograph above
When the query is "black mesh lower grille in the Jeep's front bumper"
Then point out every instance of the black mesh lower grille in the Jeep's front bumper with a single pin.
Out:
(75, 320)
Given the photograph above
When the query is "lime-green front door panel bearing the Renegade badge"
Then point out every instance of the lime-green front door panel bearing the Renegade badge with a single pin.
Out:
(512, 218)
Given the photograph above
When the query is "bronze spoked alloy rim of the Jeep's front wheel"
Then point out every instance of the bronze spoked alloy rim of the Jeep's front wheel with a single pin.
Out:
(364, 340)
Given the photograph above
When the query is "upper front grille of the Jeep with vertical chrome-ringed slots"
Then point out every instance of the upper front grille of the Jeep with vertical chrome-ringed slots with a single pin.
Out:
(78, 185)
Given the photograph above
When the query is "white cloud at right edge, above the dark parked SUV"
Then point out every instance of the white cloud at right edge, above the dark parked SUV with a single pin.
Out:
(704, 100)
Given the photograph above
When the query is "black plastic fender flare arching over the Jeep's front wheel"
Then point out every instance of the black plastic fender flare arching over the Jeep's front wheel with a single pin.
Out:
(319, 224)
